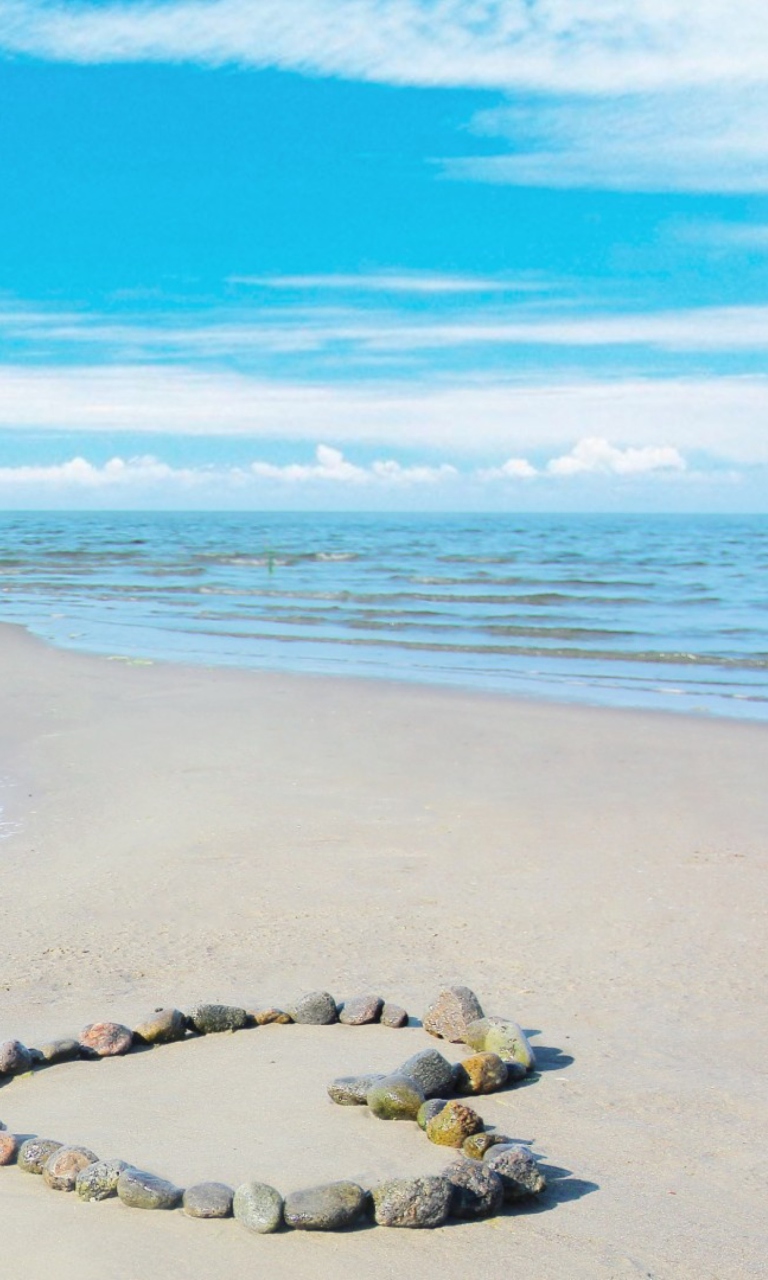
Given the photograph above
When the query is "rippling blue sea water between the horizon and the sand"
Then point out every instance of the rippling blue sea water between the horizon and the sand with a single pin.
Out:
(628, 611)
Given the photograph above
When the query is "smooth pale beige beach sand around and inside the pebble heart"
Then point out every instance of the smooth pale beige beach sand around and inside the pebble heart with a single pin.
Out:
(194, 834)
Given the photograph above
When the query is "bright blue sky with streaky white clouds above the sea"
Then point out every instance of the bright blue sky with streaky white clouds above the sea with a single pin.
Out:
(385, 254)
